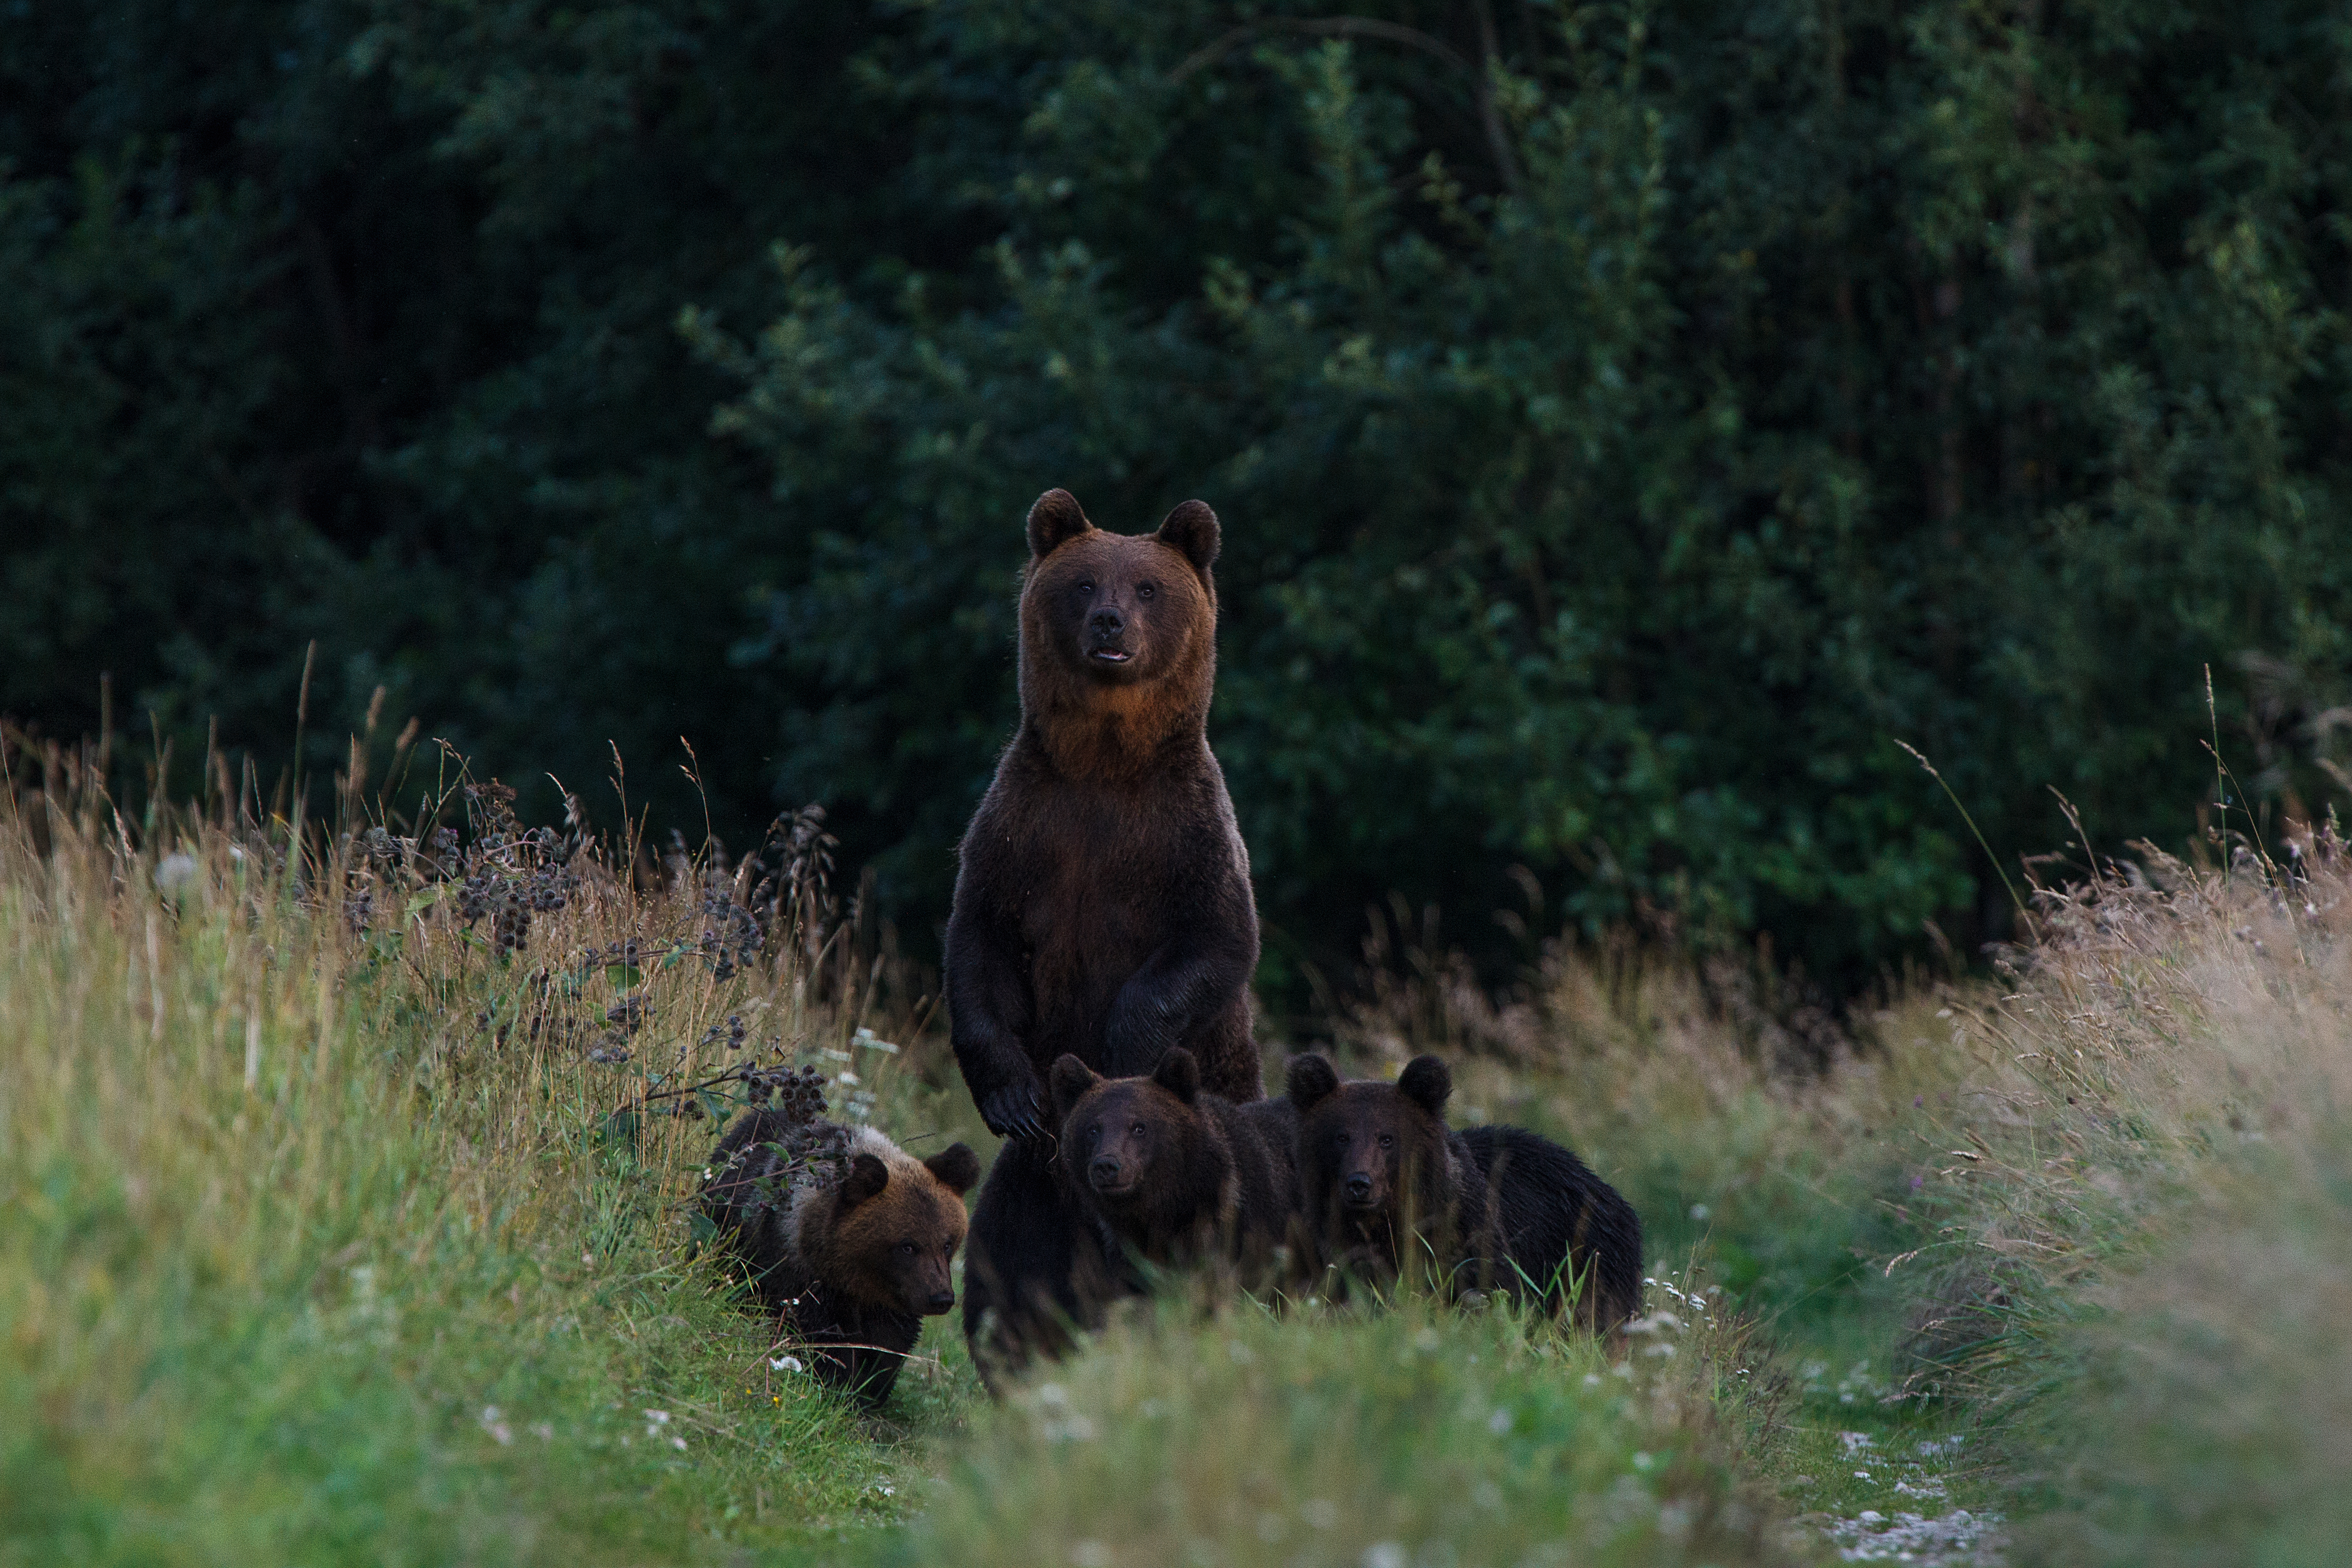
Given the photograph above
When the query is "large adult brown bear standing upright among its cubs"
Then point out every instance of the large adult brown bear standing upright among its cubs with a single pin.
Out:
(1102, 904)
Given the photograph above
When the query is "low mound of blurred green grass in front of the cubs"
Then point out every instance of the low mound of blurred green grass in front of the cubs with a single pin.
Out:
(1330, 1438)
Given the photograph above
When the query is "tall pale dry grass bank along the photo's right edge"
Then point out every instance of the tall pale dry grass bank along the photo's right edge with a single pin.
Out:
(2153, 1209)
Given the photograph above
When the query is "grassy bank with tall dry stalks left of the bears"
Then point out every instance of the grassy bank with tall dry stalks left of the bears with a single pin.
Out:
(326, 1240)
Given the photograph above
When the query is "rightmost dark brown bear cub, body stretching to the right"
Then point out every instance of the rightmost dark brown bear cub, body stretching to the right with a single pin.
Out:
(1387, 1184)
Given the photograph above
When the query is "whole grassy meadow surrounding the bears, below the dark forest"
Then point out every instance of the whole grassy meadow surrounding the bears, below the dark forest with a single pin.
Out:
(347, 1219)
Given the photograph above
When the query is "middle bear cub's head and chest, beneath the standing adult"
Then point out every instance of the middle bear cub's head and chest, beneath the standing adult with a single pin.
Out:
(1175, 1174)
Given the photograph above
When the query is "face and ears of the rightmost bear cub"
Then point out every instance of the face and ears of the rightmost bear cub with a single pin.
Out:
(1370, 1151)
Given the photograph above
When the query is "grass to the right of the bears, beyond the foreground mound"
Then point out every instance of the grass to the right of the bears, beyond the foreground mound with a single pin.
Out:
(2087, 1219)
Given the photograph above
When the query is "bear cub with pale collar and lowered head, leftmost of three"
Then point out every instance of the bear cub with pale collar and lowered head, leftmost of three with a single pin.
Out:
(846, 1235)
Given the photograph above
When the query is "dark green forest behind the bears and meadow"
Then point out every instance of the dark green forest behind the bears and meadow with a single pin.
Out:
(1629, 422)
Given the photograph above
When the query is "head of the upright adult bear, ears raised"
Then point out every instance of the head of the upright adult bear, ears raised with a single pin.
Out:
(1118, 610)
